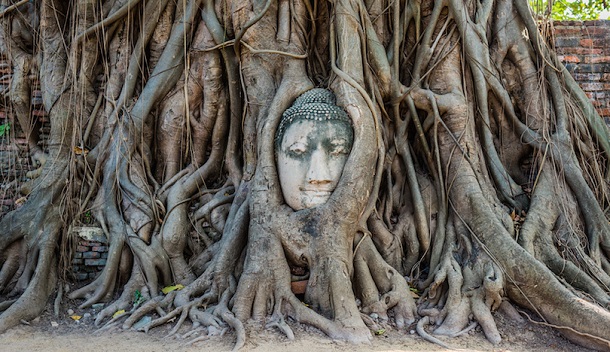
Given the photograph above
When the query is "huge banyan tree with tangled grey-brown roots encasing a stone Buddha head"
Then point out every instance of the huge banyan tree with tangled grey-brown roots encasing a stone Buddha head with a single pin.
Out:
(374, 148)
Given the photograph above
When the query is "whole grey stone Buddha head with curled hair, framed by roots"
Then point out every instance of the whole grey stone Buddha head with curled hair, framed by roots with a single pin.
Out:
(312, 144)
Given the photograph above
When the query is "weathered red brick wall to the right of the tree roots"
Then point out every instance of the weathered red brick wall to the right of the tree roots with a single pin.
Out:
(584, 47)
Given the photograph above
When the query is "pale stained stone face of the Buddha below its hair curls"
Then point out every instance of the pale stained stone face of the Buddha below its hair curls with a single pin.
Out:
(311, 158)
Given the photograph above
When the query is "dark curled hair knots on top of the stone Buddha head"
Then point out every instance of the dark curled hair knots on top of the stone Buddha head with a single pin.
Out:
(317, 104)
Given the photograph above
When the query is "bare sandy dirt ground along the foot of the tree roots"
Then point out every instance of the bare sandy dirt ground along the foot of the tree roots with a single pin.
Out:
(49, 333)
